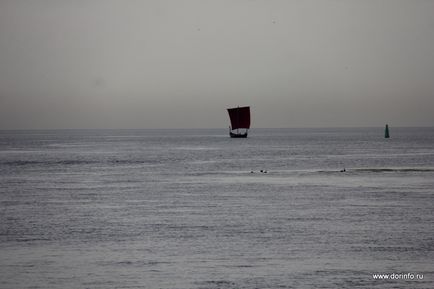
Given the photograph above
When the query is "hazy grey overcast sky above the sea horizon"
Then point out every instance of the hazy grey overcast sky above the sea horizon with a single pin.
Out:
(181, 63)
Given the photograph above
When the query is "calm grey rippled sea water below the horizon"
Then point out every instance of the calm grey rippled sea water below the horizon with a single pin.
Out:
(191, 209)
